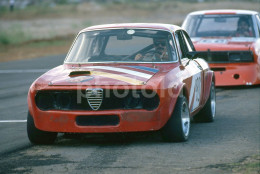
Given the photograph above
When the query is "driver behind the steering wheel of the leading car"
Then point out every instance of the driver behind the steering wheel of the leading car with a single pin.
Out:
(159, 53)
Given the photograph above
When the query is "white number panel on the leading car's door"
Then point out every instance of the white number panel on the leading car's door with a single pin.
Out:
(195, 92)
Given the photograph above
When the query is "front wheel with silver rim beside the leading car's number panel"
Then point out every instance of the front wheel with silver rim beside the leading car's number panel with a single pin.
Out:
(177, 129)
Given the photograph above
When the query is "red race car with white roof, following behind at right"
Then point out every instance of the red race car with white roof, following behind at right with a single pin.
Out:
(229, 41)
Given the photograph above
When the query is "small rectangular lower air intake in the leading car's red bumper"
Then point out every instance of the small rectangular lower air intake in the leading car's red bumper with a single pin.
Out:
(97, 120)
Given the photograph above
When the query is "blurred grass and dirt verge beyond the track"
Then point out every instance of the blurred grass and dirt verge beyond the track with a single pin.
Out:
(20, 29)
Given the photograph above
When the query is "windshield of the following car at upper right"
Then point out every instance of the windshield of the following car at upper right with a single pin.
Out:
(219, 26)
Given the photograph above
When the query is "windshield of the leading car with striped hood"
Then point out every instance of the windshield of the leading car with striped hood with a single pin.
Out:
(123, 45)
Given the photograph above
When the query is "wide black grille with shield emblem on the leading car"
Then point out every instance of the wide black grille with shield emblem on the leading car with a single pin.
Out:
(111, 100)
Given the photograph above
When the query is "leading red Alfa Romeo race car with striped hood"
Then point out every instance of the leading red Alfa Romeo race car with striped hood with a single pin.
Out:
(123, 78)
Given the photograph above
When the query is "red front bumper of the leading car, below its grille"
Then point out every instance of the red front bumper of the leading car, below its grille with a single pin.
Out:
(129, 121)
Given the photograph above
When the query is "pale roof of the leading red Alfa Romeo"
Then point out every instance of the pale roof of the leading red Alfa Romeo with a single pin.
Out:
(155, 26)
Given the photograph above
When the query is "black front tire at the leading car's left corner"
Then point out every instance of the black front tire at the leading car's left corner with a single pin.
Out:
(37, 136)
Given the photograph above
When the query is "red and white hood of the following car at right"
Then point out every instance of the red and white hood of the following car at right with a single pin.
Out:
(223, 44)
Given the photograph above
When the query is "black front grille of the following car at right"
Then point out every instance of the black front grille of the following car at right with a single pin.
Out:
(226, 56)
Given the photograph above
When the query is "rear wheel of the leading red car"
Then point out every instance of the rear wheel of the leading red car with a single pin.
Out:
(208, 112)
